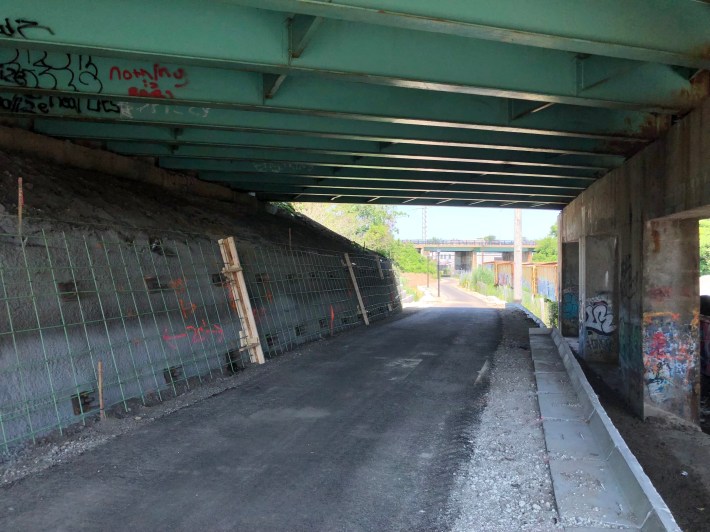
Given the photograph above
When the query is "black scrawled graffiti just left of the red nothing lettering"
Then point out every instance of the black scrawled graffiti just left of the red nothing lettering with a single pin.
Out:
(35, 69)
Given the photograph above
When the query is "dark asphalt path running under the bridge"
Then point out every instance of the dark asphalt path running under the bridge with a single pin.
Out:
(361, 432)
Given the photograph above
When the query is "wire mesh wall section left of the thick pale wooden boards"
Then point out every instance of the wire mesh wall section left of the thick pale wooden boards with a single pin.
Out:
(155, 312)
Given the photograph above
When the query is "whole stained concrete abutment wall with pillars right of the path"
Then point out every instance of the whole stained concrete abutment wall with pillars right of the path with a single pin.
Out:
(638, 227)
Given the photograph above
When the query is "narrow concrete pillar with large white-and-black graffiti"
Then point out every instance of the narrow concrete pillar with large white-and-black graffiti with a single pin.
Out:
(598, 299)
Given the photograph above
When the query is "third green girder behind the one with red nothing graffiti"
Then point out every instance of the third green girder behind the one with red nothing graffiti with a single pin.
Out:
(411, 159)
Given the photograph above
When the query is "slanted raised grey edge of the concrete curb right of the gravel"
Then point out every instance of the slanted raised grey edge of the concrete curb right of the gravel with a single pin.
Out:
(646, 503)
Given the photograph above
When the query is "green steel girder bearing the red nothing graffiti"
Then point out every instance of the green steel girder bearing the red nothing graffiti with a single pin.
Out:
(140, 83)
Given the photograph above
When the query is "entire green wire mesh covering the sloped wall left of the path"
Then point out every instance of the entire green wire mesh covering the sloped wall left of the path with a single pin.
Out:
(155, 311)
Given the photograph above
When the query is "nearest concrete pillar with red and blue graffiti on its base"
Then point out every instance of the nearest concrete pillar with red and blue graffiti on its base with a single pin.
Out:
(670, 317)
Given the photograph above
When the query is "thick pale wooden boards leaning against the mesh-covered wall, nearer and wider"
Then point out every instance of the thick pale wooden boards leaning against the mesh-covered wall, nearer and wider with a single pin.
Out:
(235, 276)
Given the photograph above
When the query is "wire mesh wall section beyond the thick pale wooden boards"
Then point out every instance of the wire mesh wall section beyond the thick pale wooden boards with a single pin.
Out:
(299, 295)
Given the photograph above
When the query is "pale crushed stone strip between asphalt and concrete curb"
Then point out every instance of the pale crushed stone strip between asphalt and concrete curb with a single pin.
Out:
(507, 485)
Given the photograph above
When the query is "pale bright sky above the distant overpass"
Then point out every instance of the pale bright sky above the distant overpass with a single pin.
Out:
(466, 223)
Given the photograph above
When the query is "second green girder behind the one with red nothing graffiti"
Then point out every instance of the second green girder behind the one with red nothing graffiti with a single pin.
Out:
(526, 148)
